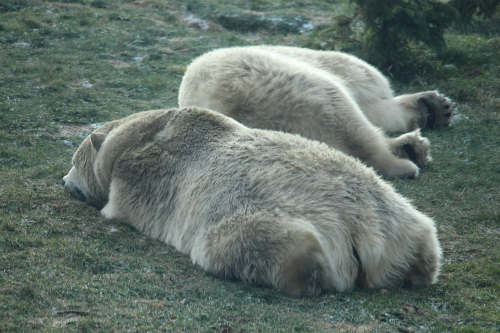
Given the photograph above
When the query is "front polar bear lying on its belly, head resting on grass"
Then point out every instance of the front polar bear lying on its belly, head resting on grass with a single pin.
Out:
(270, 208)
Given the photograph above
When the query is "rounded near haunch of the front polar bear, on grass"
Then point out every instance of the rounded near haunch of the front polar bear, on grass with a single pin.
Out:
(265, 249)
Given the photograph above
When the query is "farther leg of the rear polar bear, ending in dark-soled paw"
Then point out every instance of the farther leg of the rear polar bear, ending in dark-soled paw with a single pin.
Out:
(373, 94)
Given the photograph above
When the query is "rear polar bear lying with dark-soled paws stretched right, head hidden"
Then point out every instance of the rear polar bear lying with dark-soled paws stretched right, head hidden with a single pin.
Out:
(327, 96)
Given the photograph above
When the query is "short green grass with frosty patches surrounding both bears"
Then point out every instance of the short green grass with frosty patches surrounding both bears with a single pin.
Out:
(69, 64)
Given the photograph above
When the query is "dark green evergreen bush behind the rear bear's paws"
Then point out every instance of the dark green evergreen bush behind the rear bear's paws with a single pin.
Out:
(390, 27)
